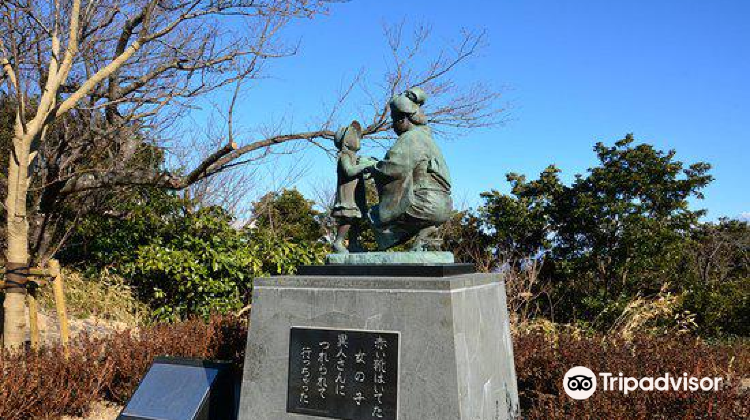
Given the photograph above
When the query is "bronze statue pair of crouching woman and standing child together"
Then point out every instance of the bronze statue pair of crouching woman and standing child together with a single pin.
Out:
(413, 181)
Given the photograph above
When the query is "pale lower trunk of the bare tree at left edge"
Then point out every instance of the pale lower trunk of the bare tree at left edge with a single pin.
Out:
(17, 253)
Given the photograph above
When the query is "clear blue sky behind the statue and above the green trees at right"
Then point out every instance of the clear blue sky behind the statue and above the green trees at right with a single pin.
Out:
(675, 73)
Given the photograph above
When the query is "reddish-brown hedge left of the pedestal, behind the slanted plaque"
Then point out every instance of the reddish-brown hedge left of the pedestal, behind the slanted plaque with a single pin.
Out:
(107, 368)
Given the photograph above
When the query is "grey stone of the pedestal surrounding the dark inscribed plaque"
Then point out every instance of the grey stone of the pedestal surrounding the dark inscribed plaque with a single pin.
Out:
(455, 358)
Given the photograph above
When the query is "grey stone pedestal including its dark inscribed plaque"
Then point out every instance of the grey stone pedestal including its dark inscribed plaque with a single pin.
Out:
(392, 348)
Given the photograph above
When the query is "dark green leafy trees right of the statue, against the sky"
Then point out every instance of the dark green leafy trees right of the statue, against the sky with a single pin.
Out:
(618, 235)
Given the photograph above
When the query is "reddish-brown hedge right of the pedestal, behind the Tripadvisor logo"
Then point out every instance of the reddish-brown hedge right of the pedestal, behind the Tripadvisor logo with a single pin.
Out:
(542, 359)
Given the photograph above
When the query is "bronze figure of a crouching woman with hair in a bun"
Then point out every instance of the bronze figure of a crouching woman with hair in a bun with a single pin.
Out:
(413, 182)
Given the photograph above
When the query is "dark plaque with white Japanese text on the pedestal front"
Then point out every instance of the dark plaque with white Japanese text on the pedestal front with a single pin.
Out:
(343, 374)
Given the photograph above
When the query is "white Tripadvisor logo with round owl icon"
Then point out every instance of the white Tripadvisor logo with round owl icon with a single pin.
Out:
(580, 383)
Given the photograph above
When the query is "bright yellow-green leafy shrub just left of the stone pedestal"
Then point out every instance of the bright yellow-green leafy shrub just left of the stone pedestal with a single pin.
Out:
(210, 270)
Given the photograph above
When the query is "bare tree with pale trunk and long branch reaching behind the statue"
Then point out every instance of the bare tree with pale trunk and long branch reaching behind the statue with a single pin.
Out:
(92, 81)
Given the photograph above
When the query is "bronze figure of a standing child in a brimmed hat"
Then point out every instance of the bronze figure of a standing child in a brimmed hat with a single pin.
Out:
(351, 205)
